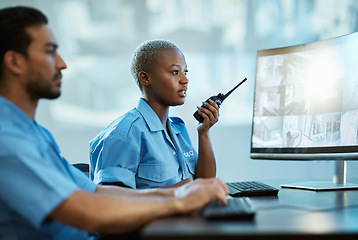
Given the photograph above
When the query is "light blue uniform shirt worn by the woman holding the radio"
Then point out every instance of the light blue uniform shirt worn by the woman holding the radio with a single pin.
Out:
(136, 150)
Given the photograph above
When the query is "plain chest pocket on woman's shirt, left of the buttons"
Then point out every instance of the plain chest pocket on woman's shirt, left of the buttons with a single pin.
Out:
(157, 172)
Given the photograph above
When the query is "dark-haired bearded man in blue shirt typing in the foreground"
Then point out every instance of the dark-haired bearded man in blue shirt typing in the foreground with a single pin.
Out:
(42, 196)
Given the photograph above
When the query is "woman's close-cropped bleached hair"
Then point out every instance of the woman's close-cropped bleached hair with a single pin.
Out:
(144, 56)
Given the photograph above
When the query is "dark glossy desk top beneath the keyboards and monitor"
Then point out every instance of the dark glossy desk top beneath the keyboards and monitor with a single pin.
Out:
(293, 214)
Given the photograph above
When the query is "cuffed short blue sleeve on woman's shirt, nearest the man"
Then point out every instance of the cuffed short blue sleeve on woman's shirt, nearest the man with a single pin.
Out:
(117, 154)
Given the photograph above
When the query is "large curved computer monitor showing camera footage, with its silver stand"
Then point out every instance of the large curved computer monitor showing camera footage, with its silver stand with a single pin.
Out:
(306, 105)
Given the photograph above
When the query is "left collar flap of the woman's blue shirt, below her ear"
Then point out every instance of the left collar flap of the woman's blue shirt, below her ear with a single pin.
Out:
(150, 117)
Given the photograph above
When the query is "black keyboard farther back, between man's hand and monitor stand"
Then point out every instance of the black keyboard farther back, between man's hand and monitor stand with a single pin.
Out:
(251, 188)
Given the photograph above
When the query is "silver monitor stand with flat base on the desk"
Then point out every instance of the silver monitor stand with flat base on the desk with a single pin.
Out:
(338, 183)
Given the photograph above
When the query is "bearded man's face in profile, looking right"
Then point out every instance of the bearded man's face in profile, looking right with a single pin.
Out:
(43, 64)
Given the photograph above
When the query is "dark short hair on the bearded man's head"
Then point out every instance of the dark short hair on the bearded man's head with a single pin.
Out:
(13, 34)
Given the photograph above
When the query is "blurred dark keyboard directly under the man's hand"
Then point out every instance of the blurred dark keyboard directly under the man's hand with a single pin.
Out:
(236, 209)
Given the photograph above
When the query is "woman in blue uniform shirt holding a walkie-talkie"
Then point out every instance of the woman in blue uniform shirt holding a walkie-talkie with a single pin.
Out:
(145, 148)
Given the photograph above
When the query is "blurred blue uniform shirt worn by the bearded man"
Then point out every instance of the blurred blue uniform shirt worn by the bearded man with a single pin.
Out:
(34, 179)
